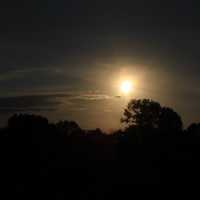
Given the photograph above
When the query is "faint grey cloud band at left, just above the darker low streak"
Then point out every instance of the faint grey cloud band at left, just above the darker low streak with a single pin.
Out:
(46, 78)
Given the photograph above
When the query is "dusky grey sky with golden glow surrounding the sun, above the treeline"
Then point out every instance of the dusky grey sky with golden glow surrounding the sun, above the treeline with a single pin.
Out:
(64, 59)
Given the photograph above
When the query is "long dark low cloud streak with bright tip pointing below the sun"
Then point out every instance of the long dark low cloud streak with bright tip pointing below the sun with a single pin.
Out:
(48, 102)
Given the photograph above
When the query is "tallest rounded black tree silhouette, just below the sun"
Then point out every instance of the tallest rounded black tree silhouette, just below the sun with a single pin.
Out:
(146, 113)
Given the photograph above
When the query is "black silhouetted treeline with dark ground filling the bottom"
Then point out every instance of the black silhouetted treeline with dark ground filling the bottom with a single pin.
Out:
(60, 160)
